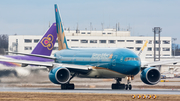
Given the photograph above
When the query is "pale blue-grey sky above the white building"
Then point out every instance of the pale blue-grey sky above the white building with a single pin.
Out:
(33, 16)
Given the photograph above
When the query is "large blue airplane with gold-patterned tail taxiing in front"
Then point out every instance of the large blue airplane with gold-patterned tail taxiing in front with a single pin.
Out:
(114, 63)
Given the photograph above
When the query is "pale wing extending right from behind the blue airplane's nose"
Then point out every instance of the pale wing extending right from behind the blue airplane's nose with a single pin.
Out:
(157, 63)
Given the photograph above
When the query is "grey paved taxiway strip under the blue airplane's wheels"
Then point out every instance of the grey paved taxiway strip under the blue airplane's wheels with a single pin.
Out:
(103, 91)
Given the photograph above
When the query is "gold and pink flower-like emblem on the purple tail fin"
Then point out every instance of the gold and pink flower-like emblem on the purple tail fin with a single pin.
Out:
(47, 42)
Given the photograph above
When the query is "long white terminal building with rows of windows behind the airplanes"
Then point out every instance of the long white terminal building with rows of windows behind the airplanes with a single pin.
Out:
(108, 38)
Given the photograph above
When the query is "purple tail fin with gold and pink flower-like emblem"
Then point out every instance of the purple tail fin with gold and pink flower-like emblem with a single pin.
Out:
(46, 44)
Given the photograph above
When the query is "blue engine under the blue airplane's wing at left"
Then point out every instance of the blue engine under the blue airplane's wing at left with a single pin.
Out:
(59, 75)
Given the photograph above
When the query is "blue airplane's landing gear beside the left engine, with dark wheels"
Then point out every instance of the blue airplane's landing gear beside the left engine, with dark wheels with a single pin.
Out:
(68, 85)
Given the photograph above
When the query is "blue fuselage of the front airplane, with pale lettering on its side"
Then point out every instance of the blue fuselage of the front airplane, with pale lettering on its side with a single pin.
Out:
(106, 63)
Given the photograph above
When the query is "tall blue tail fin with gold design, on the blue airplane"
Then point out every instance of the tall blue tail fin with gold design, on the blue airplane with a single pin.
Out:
(62, 43)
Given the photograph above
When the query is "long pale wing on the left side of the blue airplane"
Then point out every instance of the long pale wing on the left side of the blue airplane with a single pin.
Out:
(50, 65)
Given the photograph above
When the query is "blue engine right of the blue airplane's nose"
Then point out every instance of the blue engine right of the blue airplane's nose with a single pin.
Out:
(150, 76)
